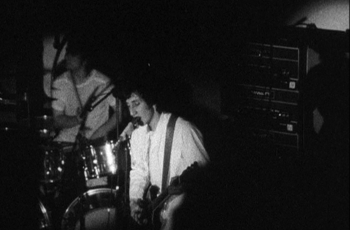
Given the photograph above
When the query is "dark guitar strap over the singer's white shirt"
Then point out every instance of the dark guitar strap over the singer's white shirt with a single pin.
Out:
(167, 149)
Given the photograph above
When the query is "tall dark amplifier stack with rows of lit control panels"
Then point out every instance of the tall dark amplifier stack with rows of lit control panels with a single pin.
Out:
(264, 95)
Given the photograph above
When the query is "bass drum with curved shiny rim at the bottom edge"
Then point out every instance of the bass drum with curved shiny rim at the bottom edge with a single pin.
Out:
(96, 209)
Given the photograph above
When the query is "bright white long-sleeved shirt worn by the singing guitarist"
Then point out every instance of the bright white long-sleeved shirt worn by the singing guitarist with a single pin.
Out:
(147, 153)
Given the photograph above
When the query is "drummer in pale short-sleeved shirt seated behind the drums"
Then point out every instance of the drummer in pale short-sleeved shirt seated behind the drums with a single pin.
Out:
(72, 90)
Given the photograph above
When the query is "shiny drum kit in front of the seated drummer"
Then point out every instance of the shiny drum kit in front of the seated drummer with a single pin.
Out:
(93, 207)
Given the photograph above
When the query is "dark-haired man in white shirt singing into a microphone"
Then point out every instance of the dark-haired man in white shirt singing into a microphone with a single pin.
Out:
(147, 144)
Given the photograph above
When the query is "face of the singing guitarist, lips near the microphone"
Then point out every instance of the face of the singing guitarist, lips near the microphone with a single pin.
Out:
(139, 108)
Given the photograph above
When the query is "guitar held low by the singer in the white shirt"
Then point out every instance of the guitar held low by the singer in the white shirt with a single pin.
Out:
(160, 209)
